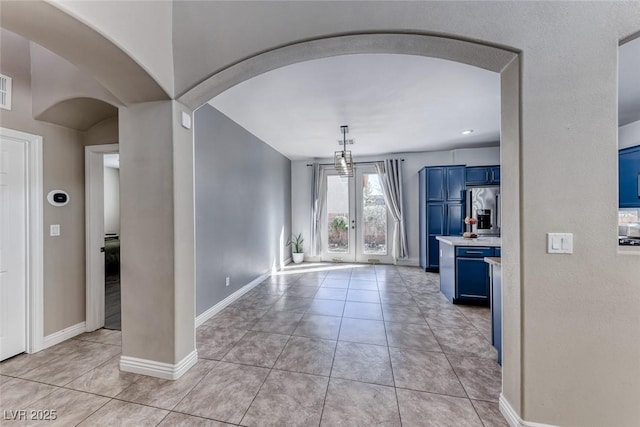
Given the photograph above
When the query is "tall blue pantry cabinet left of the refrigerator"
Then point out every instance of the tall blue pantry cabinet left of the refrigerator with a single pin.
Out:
(442, 209)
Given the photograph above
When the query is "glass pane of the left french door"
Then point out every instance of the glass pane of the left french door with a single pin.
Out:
(338, 214)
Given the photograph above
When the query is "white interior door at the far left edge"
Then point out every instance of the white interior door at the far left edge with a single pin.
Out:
(13, 248)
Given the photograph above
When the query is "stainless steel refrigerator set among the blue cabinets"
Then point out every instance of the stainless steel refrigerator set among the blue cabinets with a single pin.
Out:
(483, 204)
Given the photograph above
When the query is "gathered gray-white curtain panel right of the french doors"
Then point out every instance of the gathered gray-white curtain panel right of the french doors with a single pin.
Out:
(391, 173)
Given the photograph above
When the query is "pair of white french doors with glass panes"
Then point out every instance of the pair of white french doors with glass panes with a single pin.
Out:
(355, 221)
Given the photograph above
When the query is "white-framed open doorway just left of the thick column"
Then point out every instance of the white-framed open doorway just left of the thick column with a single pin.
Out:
(102, 236)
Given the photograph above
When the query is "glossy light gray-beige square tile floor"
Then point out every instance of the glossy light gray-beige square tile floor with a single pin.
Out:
(330, 345)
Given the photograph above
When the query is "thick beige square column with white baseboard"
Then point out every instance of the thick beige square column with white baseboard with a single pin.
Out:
(157, 240)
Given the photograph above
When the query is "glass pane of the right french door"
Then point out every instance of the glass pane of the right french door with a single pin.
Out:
(374, 219)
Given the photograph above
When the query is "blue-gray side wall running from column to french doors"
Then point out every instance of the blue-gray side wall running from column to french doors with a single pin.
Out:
(243, 206)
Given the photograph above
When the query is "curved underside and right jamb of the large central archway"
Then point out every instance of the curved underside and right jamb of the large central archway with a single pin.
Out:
(503, 61)
